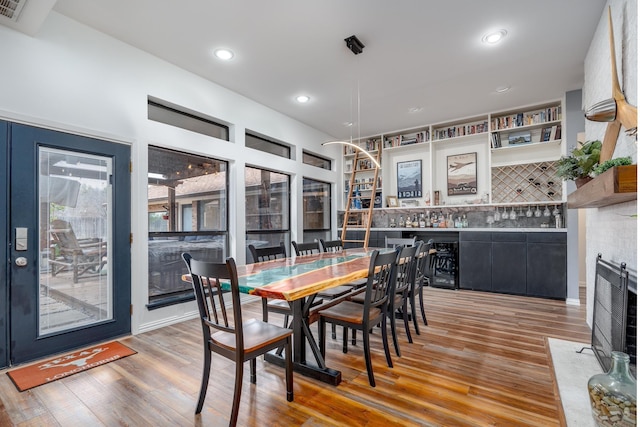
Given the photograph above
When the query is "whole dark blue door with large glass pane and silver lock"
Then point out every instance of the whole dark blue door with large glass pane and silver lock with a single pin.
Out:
(68, 244)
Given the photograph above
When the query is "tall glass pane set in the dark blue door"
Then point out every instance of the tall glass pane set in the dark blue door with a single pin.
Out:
(75, 240)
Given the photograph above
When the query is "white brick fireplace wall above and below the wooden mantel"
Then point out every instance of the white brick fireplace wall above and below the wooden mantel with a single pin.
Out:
(611, 230)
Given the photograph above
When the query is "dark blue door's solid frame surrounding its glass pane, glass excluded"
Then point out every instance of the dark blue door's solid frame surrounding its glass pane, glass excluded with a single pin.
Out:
(22, 329)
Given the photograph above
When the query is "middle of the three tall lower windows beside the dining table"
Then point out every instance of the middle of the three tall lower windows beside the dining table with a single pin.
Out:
(267, 198)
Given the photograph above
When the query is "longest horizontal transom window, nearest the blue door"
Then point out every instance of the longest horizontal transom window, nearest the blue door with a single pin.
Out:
(174, 115)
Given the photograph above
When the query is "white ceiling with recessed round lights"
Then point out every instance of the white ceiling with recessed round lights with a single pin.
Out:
(418, 53)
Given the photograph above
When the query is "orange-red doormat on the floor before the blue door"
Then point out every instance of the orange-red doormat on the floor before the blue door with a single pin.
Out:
(68, 364)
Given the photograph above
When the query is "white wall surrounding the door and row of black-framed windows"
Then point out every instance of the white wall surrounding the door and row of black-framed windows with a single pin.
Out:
(73, 78)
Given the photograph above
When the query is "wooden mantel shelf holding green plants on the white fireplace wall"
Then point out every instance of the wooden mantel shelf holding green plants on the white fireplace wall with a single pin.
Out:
(617, 185)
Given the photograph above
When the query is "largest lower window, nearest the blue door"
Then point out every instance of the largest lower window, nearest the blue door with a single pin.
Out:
(179, 184)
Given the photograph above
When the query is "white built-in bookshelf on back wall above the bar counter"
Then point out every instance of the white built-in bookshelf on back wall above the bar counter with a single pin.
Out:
(503, 143)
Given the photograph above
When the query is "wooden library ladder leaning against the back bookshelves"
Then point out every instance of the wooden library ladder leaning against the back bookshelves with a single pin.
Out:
(357, 217)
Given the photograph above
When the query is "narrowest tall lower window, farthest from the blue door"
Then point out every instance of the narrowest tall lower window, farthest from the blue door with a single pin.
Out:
(316, 206)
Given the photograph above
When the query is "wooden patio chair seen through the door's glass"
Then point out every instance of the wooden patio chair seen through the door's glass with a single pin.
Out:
(81, 256)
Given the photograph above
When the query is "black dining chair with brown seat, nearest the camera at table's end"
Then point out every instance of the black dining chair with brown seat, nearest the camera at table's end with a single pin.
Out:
(236, 339)
